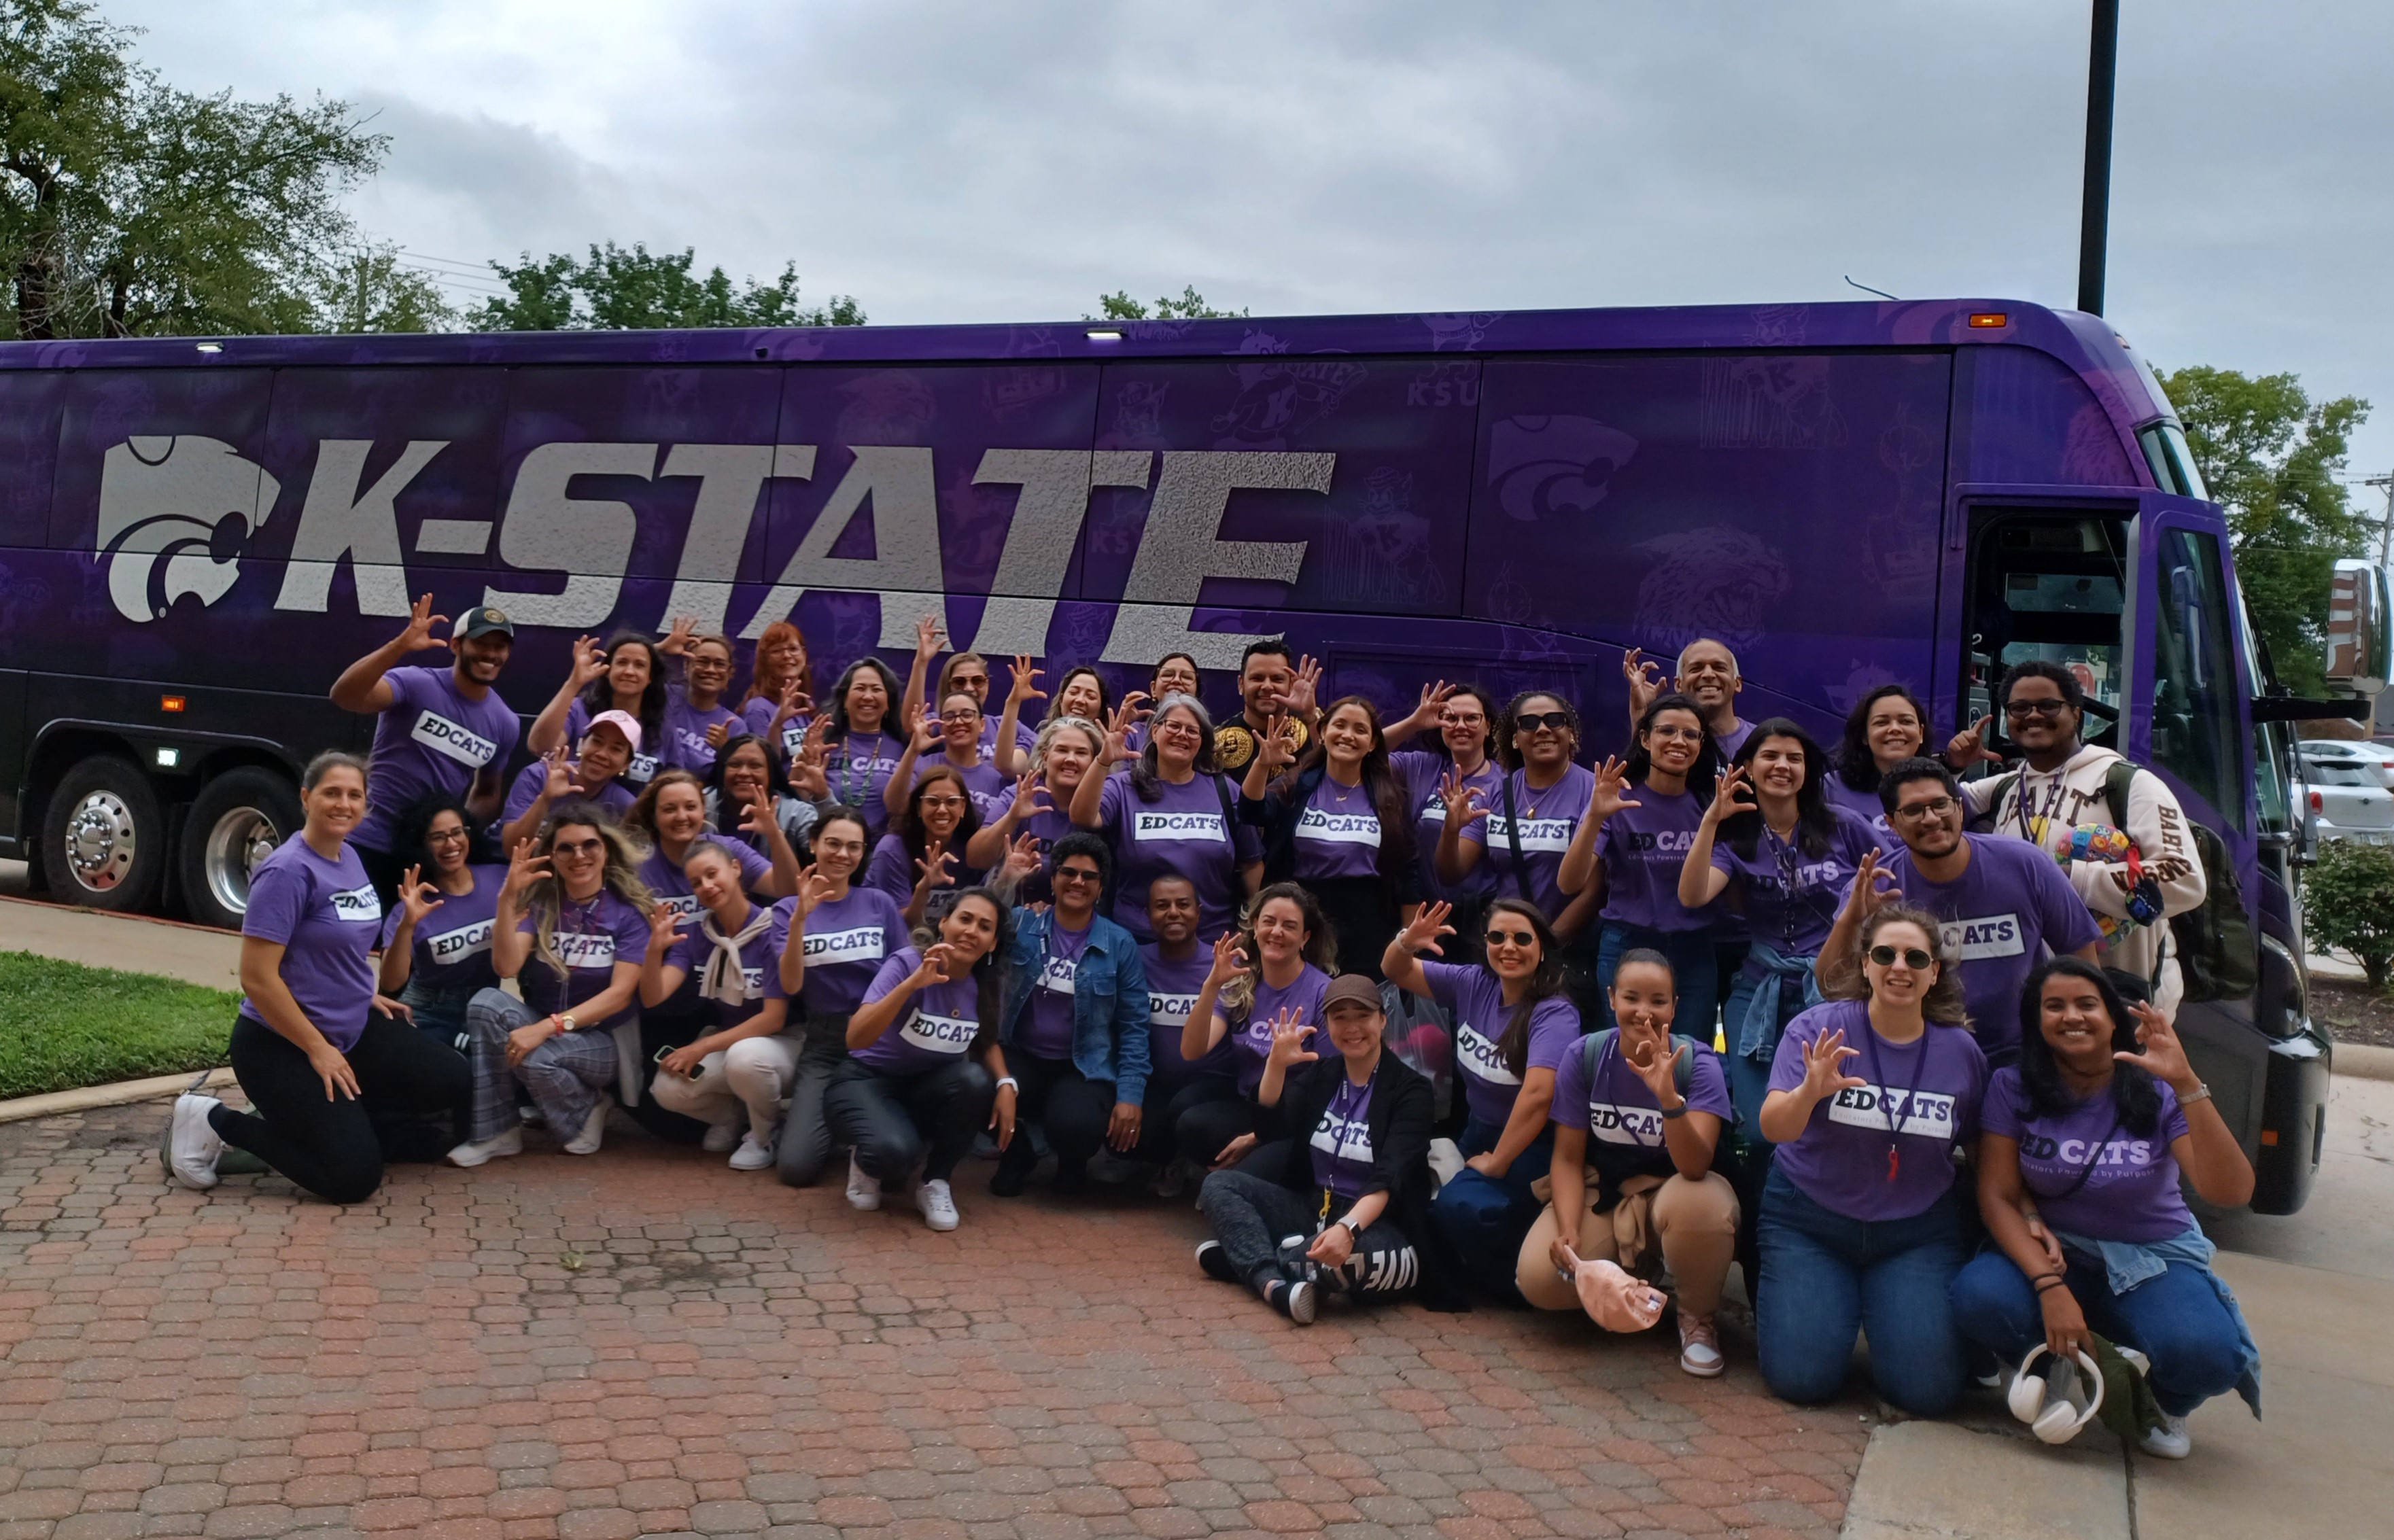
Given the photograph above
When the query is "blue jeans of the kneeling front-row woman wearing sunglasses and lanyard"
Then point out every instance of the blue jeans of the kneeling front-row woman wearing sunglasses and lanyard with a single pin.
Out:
(1828, 1278)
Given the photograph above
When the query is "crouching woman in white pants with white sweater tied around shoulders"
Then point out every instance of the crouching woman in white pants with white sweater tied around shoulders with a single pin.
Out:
(734, 1074)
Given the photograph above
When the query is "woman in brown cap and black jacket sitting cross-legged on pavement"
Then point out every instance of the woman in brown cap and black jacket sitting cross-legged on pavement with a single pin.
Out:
(1330, 1206)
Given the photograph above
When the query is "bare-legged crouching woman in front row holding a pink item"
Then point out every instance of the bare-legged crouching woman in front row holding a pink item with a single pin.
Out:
(1639, 1120)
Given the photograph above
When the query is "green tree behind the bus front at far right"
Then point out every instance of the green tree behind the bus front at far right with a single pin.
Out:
(2273, 461)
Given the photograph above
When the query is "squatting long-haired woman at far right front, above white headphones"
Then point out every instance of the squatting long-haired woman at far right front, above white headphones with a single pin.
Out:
(2079, 1182)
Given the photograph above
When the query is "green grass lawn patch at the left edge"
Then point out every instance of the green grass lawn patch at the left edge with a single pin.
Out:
(63, 1026)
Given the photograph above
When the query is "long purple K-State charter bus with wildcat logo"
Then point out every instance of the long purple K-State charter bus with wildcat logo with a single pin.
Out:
(198, 535)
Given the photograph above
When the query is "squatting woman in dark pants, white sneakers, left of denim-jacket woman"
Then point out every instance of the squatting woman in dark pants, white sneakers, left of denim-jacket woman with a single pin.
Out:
(925, 1072)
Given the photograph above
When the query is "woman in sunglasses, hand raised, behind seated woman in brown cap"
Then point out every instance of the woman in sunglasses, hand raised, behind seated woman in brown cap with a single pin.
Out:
(1514, 1026)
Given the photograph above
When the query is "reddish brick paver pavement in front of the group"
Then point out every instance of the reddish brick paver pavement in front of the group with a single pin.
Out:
(648, 1342)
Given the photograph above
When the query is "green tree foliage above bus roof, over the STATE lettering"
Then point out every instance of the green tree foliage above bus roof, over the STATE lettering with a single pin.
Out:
(619, 289)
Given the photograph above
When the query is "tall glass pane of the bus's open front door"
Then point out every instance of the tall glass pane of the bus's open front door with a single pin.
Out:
(2194, 677)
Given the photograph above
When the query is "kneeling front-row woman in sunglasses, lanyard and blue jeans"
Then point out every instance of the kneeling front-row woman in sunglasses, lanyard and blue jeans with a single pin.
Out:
(1861, 1220)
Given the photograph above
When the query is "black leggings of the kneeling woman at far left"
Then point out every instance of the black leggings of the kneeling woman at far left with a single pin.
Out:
(334, 1148)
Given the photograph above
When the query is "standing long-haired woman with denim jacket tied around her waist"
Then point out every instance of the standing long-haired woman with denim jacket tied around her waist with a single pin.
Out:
(1775, 844)
